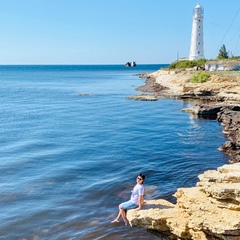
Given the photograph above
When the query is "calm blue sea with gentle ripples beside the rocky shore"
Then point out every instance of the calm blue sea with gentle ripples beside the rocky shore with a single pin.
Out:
(67, 160)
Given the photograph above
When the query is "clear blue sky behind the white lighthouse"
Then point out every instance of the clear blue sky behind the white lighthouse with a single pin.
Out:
(112, 31)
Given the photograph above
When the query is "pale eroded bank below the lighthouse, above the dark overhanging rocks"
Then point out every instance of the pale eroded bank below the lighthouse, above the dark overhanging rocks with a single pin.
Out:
(222, 86)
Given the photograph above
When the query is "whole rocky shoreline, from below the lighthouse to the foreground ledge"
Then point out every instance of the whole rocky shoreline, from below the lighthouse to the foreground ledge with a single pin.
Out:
(211, 209)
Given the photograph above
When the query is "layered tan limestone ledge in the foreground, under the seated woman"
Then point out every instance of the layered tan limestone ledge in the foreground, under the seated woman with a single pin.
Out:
(208, 211)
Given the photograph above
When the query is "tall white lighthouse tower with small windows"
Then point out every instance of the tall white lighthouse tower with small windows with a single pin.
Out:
(196, 47)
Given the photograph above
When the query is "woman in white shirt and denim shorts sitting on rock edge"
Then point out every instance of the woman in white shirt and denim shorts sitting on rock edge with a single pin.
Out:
(136, 200)
